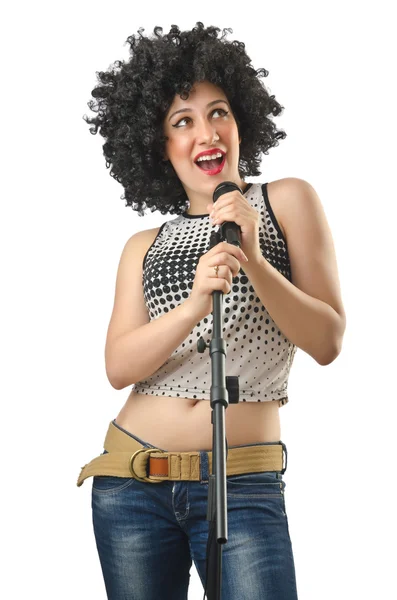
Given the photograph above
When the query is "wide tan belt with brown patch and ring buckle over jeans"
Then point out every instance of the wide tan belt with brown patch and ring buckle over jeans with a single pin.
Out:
(126, 457)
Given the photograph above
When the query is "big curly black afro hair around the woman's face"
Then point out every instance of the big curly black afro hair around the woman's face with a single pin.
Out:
(133, 98)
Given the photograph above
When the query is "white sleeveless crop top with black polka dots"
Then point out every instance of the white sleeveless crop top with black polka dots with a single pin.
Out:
(257, 351)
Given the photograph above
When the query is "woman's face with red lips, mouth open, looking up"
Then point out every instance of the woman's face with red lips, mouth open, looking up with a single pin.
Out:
(204, 122)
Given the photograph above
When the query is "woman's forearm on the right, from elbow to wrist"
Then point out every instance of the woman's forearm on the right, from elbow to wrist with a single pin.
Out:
(307, 322)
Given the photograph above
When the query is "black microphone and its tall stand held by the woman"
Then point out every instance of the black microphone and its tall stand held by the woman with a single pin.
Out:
(224, 389)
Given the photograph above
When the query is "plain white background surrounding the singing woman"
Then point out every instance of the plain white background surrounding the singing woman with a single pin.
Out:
(63, 228)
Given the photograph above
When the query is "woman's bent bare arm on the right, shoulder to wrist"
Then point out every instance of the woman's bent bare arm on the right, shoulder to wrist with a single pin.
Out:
(308, 311)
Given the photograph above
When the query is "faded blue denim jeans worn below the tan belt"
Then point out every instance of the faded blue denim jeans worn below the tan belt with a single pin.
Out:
(148, 534)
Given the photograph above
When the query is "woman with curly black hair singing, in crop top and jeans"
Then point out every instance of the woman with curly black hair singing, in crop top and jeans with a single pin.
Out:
(186, 113)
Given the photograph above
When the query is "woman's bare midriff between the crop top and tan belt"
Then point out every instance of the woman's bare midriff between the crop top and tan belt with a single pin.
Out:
(182, 424)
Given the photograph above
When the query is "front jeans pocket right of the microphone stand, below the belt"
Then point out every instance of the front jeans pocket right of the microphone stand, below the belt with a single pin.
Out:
(265, 484)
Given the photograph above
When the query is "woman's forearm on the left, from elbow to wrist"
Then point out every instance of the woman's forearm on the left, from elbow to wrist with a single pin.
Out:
(138, 354)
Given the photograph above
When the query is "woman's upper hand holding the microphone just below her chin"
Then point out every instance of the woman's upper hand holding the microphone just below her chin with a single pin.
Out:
(234, 207)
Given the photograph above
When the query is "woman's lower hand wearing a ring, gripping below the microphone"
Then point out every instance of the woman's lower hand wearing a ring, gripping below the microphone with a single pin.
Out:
(227, 257)
